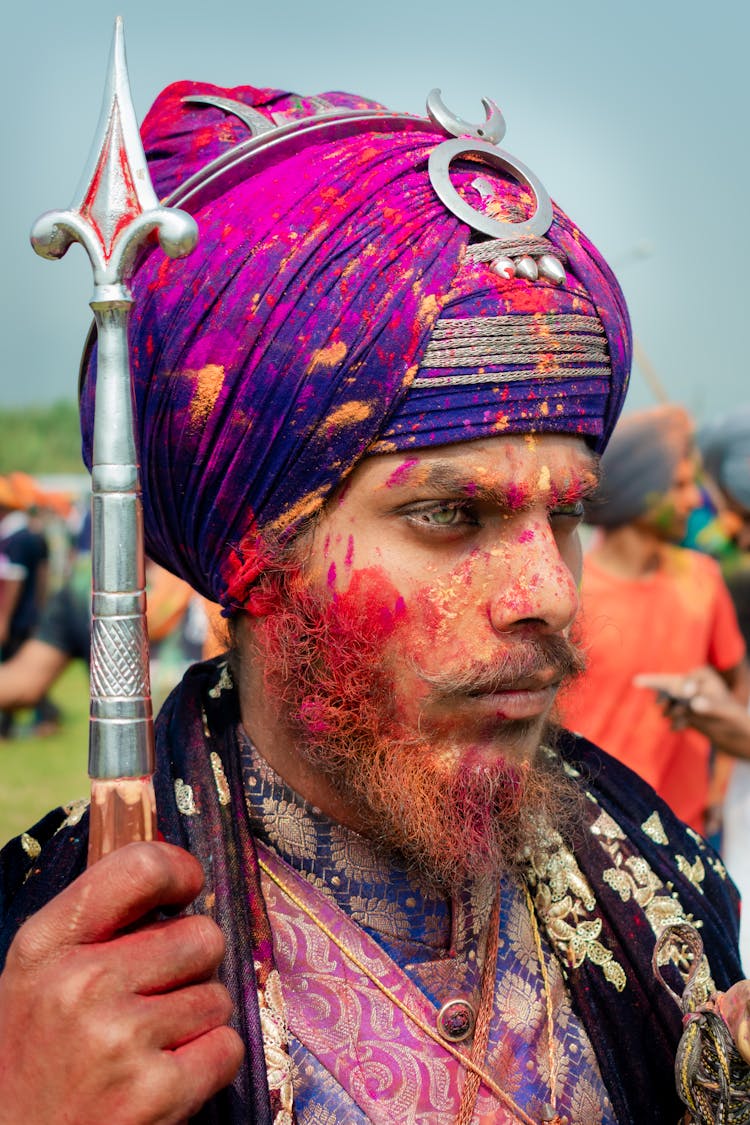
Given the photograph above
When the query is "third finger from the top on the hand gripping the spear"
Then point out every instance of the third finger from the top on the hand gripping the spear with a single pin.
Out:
(177, 1019)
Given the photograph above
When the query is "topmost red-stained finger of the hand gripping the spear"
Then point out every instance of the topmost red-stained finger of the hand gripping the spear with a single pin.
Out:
(114, 894)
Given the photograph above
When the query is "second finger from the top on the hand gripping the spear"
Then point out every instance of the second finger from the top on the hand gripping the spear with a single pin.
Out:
(166, 955)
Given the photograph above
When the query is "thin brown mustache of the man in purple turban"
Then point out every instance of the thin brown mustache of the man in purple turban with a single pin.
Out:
(554, 659)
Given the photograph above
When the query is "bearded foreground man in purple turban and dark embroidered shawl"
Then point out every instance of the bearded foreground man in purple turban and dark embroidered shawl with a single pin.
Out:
(368, 435)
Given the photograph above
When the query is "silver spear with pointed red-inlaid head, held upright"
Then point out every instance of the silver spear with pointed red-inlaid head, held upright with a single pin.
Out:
(115, 211)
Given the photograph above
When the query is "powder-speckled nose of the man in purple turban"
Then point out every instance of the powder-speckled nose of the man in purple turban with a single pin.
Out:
(536, 587)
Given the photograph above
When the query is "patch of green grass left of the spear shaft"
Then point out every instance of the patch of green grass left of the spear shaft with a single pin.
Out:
(37, 775)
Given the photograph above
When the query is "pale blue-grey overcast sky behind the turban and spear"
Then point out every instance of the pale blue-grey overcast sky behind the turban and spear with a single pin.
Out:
(635, 115)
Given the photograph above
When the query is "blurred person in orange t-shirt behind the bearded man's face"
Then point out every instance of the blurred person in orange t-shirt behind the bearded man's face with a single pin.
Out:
(652, 607)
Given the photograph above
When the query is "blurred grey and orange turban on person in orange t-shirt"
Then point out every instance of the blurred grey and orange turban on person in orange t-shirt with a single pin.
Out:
(638, 469)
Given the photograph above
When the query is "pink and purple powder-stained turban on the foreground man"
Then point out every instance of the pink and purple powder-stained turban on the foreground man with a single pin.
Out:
(333, 310)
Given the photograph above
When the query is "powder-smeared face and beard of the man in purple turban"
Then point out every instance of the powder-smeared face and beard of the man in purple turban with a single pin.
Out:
(415, 656)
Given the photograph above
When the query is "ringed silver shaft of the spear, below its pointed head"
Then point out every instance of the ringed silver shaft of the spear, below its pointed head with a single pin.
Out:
(121, 733)
